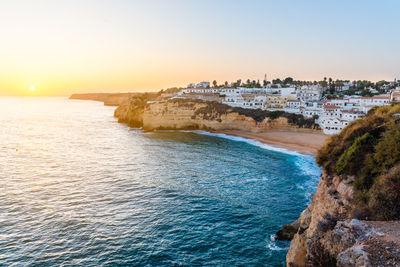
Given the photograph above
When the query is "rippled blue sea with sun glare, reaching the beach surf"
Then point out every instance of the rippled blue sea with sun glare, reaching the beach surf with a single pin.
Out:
(77, 188)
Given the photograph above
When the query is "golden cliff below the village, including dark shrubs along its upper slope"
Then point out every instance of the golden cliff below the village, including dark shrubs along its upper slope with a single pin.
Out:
(195, 114)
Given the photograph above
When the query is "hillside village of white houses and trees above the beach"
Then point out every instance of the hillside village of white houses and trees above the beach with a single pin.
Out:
(333, 104)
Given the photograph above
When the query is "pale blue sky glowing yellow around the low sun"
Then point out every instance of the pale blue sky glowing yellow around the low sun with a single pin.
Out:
(64, 47)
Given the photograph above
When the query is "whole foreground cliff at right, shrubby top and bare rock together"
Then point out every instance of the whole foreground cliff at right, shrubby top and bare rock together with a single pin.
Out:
(353, 217)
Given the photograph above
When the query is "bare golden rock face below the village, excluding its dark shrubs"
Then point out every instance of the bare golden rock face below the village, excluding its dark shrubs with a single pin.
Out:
(192, 115)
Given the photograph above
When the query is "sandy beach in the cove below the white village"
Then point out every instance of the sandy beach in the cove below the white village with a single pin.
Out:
(302, 142)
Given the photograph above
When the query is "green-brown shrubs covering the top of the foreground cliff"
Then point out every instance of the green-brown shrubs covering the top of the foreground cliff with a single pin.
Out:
(369, 150)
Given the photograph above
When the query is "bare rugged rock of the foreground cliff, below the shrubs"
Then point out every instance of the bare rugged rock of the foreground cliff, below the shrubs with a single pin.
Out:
(328, 236)
